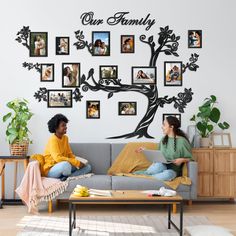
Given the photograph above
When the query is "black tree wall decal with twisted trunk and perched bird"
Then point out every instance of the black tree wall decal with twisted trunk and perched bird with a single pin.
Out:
(167, 44)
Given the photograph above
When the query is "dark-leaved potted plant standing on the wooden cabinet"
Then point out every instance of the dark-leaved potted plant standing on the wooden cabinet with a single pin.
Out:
(206, 119)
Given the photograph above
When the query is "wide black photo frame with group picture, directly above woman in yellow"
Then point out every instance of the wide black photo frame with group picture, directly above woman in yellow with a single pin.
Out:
(58, 99)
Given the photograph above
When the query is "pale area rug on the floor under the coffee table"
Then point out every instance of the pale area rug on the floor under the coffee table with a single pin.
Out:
(105, 225)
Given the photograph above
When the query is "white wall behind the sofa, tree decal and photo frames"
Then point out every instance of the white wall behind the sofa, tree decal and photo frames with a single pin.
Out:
(58, 18)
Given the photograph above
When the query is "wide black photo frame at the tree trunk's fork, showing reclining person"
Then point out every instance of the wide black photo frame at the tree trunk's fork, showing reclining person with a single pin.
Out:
(149, 71)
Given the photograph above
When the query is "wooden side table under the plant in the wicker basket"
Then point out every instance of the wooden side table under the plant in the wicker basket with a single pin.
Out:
(3, 161)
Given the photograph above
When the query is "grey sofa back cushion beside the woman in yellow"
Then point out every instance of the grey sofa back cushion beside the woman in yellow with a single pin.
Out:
(98, 155)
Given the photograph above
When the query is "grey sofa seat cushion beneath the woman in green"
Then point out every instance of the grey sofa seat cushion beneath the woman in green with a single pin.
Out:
(137, 183)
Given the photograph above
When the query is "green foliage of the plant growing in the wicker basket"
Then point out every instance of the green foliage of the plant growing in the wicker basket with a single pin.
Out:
(17, 129)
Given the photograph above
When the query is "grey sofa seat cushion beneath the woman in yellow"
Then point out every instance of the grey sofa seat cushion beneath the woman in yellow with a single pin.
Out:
(95, 181)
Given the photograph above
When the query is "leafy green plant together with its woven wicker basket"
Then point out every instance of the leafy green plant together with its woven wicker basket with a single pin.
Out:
(17, 132)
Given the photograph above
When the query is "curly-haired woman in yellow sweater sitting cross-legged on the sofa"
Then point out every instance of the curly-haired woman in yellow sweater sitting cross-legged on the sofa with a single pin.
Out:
(60, 162)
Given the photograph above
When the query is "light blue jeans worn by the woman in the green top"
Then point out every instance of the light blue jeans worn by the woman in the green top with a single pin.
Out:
(159, 171)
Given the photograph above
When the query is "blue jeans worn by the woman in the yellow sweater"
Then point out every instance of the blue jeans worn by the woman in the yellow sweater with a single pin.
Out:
(65, 169)
